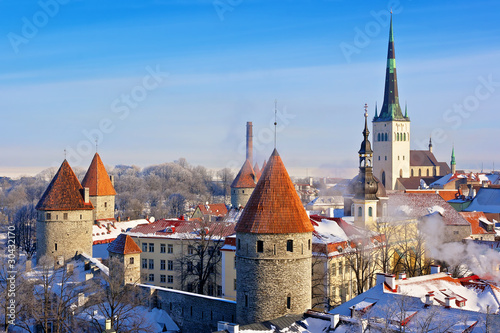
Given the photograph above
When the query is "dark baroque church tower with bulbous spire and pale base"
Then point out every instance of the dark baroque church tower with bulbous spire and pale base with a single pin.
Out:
(365, 199)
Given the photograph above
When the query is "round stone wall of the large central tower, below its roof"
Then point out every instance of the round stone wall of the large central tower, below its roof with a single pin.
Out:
(265, 280)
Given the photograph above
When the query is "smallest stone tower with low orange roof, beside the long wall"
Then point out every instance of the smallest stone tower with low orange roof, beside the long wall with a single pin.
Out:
(128, 255)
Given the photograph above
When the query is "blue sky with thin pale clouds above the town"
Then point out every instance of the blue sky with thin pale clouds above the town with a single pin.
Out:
(196, 71)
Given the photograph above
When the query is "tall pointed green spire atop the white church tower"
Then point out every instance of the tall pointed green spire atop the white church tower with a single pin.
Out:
(391, 110)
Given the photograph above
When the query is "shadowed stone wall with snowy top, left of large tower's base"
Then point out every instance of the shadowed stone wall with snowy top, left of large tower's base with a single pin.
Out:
(193, 313)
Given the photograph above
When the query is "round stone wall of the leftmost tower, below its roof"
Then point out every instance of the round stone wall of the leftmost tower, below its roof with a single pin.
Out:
(72, 235)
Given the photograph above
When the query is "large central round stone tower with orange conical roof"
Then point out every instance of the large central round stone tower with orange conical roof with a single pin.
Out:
(273, 250)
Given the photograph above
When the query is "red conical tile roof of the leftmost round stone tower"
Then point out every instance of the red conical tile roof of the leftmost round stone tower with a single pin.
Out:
(64, 192)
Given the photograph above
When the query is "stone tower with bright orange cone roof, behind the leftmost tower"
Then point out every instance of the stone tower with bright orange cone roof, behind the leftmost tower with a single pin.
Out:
(101, 189)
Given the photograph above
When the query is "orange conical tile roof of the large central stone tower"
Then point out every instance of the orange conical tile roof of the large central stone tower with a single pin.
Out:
(274, 206)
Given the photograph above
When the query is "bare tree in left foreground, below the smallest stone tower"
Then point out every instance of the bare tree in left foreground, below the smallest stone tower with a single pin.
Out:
(118, 302)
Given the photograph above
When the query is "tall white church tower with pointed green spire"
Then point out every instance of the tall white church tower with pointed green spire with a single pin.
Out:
(391, 130)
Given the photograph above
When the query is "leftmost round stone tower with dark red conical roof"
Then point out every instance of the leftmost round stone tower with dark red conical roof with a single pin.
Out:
(65, 217)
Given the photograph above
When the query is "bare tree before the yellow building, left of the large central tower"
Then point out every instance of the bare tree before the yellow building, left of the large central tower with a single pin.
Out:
(201, 257)
